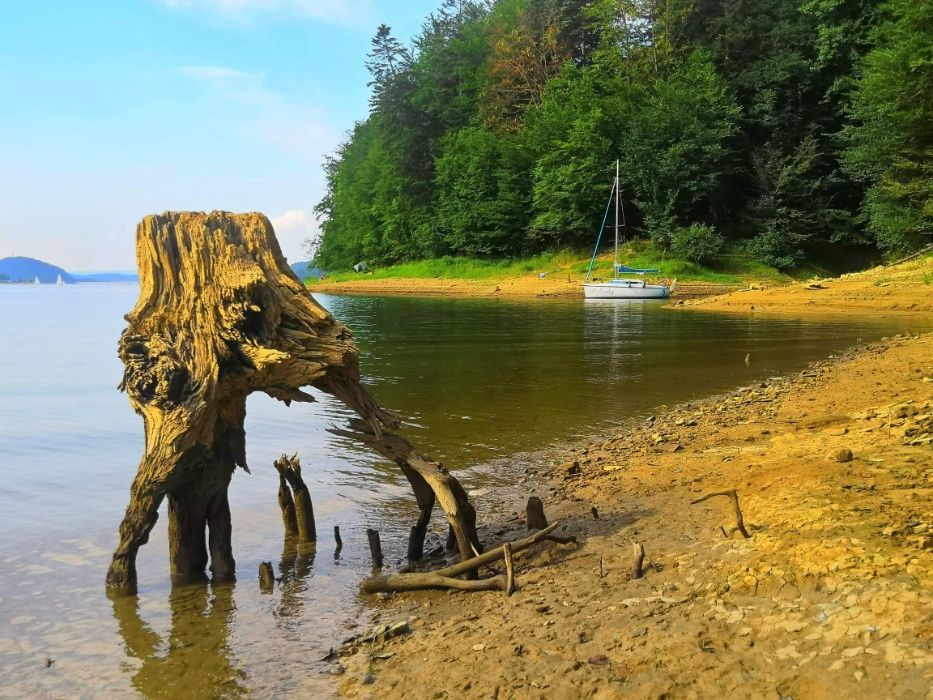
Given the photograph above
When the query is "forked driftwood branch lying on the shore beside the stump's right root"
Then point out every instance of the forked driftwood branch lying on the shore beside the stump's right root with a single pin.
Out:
(447, 577)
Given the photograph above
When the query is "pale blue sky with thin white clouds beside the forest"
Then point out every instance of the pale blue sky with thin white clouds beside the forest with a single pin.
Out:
(112, 110)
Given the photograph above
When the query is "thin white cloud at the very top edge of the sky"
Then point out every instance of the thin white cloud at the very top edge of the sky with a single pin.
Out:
(342, 12)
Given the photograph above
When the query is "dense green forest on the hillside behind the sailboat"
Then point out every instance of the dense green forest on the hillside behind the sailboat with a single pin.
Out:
(775, 127)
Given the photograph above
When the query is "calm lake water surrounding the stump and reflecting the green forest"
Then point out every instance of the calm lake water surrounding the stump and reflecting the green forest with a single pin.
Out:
(477, 380)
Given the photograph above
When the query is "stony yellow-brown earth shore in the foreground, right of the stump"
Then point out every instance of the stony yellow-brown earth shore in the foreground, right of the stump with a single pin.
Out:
(830, 596)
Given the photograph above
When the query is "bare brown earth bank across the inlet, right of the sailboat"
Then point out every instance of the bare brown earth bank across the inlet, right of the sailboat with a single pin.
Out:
(903, 288)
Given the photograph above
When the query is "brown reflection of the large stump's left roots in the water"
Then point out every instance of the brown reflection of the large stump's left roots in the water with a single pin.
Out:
(195, 659)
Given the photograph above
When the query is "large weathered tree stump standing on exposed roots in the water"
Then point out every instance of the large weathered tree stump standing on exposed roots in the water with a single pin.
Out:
(219, 316)
